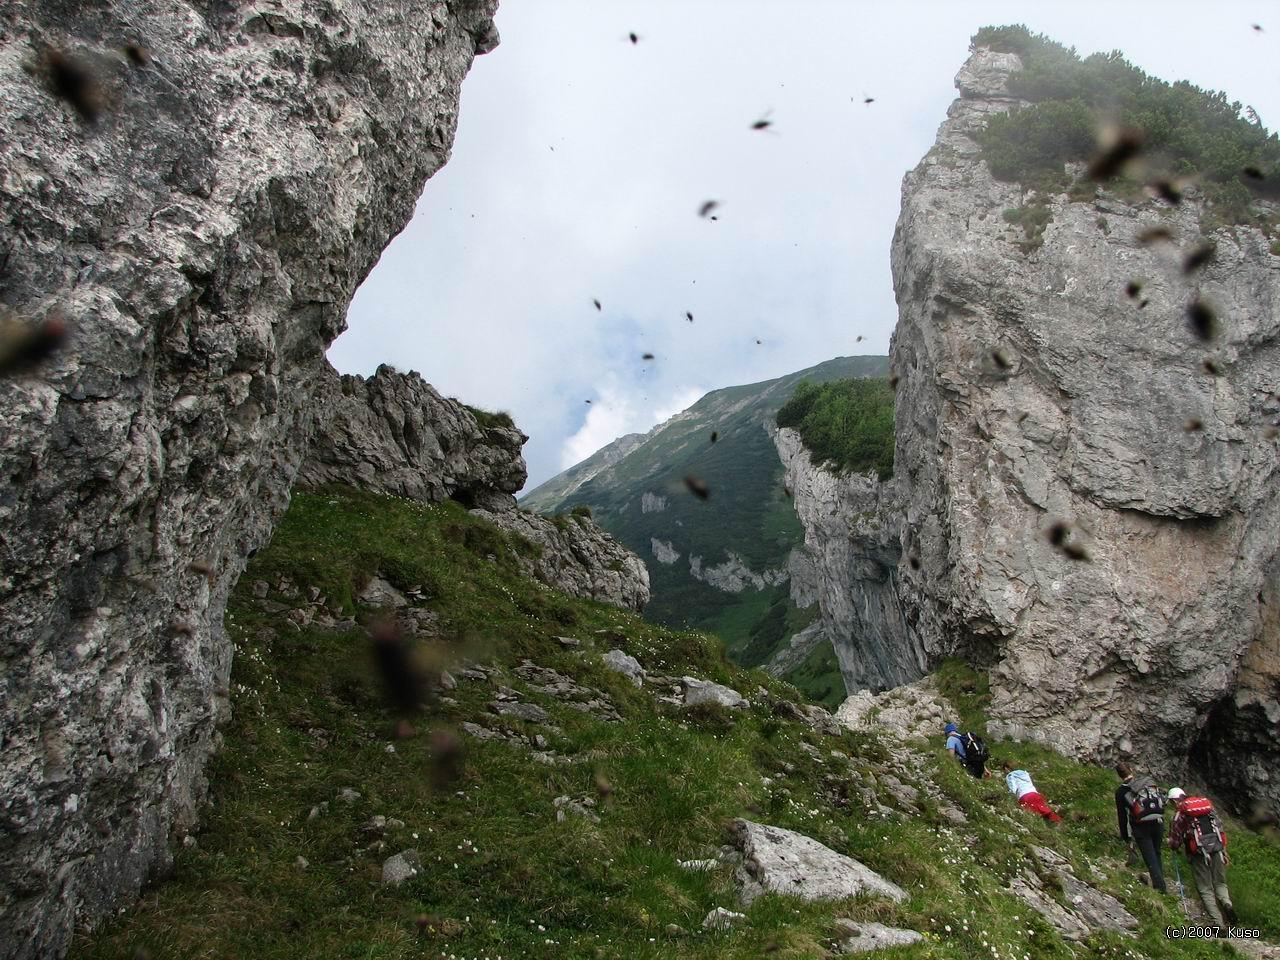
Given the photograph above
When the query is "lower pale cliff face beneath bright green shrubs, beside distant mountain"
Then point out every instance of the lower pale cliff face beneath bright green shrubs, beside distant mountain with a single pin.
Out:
(851, 557)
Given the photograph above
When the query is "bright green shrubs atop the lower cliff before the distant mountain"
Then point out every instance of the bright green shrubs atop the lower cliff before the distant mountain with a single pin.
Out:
(847, 422)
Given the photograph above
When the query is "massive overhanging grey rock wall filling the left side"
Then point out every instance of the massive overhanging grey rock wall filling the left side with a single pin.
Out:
(203, 241)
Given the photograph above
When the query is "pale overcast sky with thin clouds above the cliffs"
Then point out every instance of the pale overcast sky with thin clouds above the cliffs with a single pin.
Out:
(582, 161)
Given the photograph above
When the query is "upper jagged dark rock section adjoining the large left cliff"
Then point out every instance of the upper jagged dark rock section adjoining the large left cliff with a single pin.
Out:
(395, 435)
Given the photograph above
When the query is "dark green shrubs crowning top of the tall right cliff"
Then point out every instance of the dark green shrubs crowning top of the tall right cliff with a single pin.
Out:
(1188, 131)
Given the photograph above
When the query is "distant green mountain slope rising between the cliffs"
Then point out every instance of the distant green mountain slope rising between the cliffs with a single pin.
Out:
(643, 501)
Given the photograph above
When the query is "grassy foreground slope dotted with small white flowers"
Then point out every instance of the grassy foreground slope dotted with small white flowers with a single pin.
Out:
(502, 877)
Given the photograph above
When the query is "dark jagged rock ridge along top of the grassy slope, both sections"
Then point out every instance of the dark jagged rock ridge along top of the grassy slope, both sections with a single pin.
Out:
(395, 435)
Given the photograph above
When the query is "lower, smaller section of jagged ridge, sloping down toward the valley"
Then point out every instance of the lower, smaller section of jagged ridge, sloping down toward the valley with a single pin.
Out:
(578, 557)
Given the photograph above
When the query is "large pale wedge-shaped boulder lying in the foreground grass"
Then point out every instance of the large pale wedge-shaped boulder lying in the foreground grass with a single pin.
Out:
(784, 862)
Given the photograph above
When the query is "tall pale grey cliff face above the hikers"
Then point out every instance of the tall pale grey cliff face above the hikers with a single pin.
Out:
(1034, 392)
